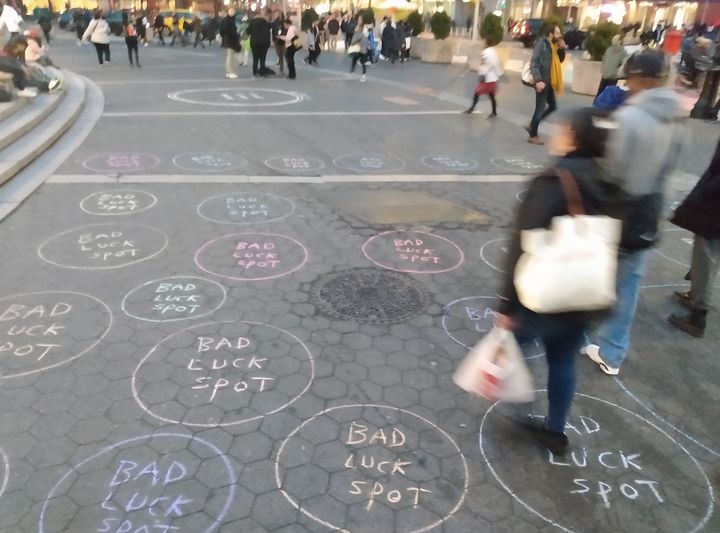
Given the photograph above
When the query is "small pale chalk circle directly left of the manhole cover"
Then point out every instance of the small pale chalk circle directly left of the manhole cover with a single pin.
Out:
(174, 298)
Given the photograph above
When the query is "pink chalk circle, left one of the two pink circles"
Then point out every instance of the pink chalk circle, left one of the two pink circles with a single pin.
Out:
(251, 256)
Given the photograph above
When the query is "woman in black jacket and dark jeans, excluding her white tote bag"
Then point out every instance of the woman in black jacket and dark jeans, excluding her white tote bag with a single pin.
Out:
(578, 141)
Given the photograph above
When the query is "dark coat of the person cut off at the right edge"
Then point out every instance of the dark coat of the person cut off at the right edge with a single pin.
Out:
(700, 211)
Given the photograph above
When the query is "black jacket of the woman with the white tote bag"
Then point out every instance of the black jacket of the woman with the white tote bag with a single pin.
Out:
(545, 200)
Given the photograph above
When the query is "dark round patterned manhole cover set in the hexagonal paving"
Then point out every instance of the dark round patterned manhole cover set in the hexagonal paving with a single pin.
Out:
(368, 295)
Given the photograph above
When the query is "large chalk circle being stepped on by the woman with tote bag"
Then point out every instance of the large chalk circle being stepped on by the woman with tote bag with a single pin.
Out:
(614, 470)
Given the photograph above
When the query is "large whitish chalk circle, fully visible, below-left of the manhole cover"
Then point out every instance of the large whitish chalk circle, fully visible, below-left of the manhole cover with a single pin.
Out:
(222, 374)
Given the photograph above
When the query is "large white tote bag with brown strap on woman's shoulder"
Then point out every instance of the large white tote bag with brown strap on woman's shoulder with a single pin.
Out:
(573, 265)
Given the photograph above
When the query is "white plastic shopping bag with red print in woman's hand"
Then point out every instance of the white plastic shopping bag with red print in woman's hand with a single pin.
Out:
(495, 369)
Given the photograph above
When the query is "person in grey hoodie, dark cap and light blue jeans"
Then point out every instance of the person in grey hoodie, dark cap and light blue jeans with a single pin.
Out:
(646, 124)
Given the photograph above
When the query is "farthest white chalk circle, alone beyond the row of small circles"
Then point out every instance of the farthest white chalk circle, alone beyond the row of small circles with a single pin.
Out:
(238, 97)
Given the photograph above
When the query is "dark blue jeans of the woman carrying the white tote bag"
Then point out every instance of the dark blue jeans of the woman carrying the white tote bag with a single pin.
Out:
(562, 340)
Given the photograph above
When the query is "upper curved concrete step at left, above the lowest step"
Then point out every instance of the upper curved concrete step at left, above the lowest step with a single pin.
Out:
(48, 126)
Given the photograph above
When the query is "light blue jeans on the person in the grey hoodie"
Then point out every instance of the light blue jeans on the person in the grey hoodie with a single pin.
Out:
(613, 336)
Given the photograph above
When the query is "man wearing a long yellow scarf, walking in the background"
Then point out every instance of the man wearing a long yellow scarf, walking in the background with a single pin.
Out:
(546, 68)
